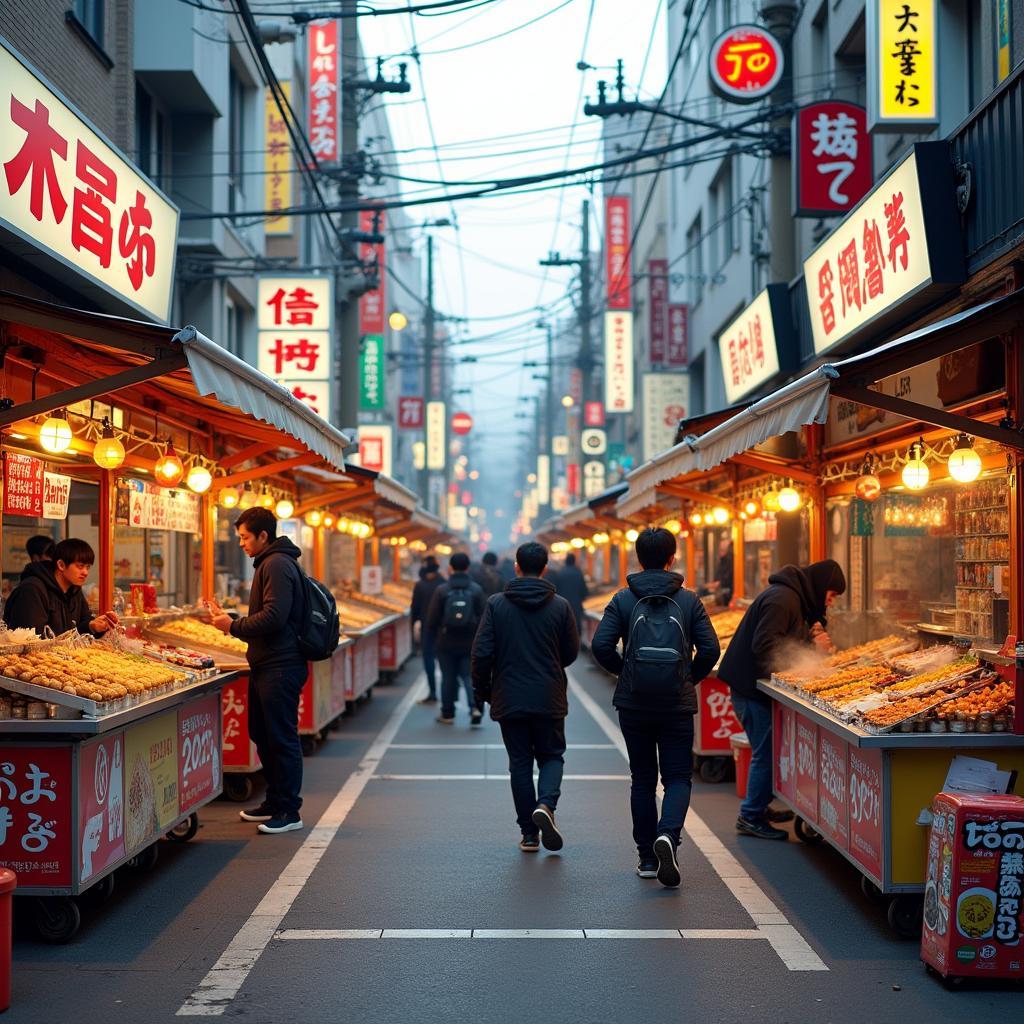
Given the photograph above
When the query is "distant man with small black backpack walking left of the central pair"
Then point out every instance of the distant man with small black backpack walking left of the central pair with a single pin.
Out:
(455, 614)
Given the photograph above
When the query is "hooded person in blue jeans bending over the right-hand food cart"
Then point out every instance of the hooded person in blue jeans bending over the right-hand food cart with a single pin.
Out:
(790, 613)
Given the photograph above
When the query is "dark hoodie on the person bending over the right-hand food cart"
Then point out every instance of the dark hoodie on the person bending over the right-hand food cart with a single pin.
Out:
(781, 615)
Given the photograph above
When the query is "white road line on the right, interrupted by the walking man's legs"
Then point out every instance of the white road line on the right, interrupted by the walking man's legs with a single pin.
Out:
(791, 947)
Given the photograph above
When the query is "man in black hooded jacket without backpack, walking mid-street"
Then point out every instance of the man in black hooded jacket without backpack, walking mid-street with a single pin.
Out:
(527, 641)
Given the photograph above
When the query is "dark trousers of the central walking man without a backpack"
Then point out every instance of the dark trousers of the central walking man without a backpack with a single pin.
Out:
(529, 739)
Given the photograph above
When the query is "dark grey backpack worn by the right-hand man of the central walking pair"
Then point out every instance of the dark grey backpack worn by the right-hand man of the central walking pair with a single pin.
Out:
(658, 652)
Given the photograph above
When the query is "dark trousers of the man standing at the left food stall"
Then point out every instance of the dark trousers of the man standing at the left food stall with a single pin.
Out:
(274, 728)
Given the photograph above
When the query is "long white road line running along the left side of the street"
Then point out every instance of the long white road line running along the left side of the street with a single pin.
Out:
(225, 979)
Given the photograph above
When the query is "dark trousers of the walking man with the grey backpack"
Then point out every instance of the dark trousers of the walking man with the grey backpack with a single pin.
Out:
(657, 740)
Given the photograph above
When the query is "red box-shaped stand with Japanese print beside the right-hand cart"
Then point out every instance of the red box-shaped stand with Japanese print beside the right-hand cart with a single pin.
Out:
(973, 892)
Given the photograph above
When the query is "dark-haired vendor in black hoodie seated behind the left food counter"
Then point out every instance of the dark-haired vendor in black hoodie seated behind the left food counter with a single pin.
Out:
(51, 594)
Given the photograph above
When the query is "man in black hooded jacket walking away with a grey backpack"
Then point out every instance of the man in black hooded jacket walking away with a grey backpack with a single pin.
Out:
(658, 728)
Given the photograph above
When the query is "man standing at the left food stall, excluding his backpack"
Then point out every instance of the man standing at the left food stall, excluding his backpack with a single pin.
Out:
(277, 669)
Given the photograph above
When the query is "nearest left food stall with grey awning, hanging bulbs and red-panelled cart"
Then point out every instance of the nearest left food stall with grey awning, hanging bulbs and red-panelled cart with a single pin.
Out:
(114, 431)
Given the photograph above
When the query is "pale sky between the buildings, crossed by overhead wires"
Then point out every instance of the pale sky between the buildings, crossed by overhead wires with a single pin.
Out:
(525, 82)
